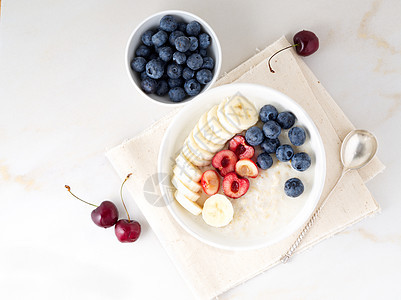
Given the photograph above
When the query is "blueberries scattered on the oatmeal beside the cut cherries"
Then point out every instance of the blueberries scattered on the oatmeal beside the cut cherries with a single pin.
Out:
(267, 138)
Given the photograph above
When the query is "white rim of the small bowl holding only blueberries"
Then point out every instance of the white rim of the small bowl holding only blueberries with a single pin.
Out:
(207, 28)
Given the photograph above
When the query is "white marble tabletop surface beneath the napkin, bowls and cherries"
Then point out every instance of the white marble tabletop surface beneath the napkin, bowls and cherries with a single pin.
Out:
(65, 98)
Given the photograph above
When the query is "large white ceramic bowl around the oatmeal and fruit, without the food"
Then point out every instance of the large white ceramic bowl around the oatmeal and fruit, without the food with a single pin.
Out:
(181, 126)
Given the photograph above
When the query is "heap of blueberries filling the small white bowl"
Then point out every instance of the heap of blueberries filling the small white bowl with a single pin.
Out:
(174, 59)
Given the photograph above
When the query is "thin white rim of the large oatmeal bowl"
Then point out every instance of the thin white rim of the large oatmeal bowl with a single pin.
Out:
(286, 233)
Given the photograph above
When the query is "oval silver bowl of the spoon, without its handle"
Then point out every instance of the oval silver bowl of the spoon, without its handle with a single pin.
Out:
(358, 149)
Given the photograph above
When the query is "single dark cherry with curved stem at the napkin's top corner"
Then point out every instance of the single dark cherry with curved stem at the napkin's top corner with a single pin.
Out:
(305, 43)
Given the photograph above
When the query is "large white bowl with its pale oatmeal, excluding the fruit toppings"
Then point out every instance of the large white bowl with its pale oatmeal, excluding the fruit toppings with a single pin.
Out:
(265, 214)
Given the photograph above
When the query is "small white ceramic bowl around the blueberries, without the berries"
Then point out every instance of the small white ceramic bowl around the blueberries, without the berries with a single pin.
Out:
(153, 22)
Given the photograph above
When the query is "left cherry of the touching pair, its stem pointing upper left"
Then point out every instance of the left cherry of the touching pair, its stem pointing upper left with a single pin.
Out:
(105, 215)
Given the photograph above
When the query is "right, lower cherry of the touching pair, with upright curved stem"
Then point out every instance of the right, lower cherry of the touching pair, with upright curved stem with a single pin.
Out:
(127, 231)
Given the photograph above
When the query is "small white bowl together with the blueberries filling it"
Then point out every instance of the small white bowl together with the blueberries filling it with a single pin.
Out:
(173, 56)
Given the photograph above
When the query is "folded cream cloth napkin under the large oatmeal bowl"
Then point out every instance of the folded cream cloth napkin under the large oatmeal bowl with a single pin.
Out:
(216, 270)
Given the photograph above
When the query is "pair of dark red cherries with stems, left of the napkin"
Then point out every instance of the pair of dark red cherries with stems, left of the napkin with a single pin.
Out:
(106, 215)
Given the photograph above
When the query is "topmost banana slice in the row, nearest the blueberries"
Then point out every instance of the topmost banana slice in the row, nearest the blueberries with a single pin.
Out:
(241, 112)
